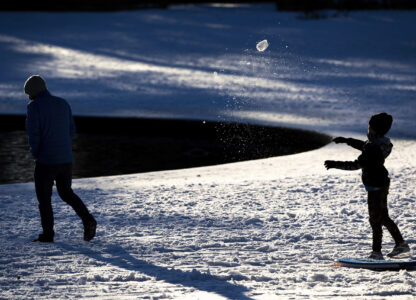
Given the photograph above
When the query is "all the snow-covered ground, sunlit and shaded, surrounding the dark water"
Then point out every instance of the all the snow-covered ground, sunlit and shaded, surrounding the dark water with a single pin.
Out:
(261, 229)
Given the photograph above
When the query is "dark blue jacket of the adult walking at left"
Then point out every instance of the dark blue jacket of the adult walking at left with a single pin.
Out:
(50, 128)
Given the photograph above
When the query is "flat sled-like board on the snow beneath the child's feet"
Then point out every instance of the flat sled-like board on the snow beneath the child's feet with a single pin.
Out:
(375, 264)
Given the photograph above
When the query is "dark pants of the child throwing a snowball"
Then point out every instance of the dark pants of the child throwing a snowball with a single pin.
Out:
(379, 216)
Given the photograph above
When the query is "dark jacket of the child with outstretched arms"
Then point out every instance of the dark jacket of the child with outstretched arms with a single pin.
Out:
(374, 151)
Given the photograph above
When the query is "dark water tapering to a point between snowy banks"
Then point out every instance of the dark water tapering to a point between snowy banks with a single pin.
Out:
(113, 146)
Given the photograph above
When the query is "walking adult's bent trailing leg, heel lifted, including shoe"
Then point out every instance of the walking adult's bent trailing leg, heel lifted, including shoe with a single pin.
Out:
(63, 185)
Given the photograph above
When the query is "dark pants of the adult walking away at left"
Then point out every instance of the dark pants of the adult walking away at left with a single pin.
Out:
(45, 175)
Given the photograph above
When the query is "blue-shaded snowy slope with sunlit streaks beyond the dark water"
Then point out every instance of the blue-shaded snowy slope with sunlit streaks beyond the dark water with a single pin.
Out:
(202, 62)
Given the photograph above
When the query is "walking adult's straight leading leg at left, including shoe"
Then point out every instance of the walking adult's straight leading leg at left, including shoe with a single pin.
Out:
(44, 177)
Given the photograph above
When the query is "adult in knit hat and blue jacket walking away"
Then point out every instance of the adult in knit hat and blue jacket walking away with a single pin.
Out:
(50, 128)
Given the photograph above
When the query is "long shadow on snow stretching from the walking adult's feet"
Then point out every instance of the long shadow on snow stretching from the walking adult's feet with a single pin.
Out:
(117, 256)
